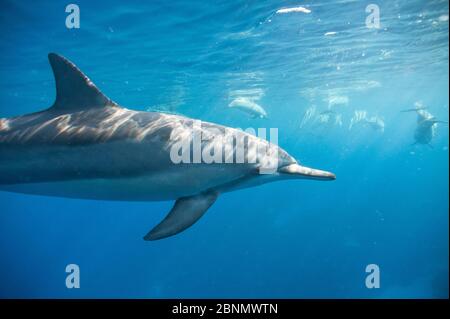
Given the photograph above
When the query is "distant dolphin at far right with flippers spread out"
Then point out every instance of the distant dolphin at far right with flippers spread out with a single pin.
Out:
(426, 125)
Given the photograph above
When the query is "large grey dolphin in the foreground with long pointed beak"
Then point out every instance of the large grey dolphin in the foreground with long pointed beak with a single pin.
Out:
(87, 146)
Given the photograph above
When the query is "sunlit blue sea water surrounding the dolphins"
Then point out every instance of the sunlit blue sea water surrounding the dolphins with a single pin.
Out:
(291, 239)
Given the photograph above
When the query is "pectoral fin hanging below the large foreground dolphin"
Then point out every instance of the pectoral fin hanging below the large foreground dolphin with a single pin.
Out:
(185, 212)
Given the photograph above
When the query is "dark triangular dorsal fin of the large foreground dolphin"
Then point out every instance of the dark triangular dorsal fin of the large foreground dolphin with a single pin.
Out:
(74, 90)
